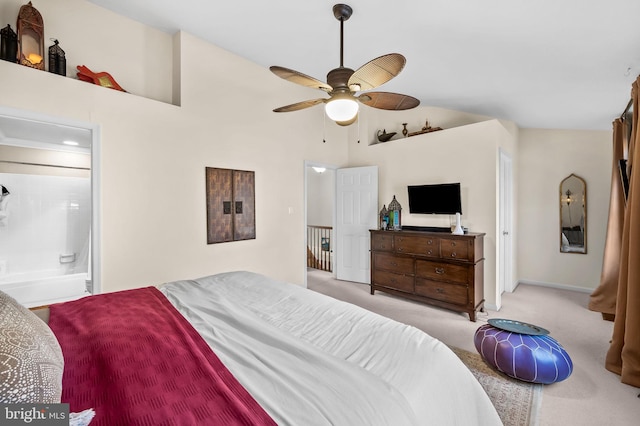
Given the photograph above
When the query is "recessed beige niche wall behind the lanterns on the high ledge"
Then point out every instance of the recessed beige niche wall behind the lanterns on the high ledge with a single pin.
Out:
(138, 57)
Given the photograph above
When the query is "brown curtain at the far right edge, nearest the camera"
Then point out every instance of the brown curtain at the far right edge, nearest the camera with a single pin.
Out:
(623, 356)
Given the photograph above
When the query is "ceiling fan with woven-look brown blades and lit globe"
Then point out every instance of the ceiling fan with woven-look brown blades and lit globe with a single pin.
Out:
(343, 83)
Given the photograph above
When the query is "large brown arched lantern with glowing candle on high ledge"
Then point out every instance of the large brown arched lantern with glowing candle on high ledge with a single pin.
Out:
(31, 37)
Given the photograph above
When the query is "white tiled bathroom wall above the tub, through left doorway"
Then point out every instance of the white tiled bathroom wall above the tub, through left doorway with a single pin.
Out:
(44, 225)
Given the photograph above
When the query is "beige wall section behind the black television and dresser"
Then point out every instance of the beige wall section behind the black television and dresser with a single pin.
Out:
(467, 154)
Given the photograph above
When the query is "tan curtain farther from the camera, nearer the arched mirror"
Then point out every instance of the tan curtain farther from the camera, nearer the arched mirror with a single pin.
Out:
(603, 299)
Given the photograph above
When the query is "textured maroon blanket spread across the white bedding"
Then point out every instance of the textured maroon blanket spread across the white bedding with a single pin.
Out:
(134, 359)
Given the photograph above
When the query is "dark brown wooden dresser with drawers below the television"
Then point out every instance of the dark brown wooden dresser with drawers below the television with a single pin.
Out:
(437, 268)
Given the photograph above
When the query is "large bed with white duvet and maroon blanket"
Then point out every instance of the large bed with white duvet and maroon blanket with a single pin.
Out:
(242, 348)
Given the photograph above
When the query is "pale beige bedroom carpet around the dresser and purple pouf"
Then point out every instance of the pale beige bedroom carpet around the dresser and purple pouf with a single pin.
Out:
(591, 396)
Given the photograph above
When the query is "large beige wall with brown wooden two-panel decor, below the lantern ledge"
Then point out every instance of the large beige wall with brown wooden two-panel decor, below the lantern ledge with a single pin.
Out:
(153, 154)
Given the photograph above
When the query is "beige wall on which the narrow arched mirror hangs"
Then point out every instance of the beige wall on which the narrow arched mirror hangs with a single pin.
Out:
(546, 158)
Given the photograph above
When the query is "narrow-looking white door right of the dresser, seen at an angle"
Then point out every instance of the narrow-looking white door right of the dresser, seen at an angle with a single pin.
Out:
(505, 228)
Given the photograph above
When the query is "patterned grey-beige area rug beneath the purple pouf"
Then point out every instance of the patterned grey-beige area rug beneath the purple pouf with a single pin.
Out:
(517, 402)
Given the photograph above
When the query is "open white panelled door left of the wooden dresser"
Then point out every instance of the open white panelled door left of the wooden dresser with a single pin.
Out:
(356, 214)
